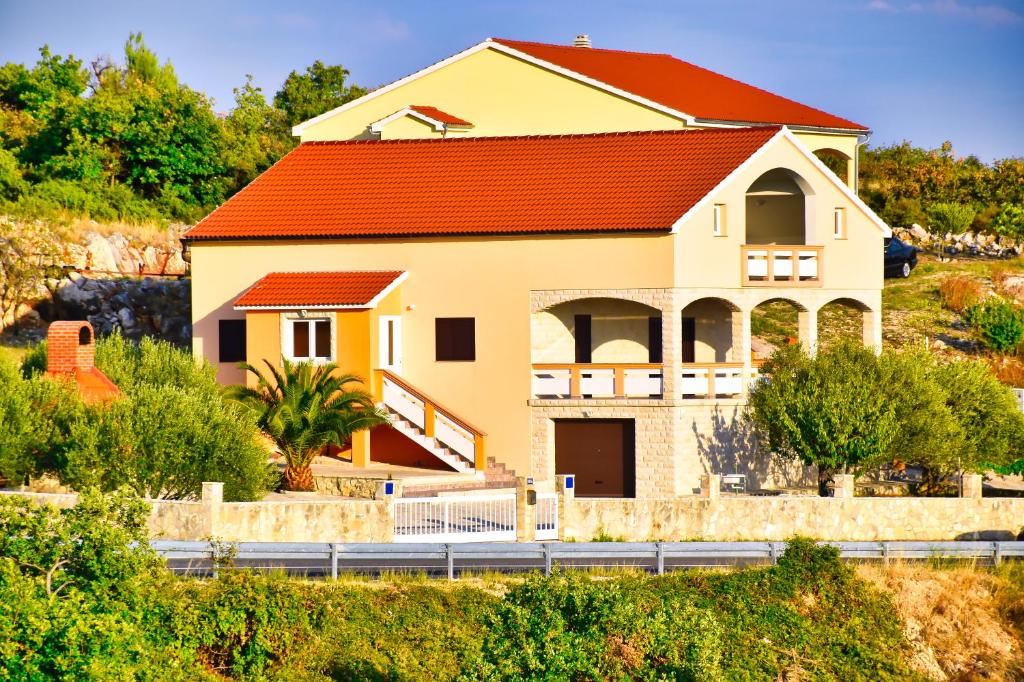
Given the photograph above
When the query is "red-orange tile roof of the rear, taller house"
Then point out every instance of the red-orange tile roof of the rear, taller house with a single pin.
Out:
(682, 87)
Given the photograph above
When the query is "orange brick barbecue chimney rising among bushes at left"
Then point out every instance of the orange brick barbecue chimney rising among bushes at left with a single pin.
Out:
(71, 354)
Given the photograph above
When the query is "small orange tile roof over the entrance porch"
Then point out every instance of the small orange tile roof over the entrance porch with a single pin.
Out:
(353, 289)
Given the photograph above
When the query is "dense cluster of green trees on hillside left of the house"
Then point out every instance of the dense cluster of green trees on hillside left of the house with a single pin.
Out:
(129, 141)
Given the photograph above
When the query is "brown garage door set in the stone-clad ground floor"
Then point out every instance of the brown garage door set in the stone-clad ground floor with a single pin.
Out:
(601, 453)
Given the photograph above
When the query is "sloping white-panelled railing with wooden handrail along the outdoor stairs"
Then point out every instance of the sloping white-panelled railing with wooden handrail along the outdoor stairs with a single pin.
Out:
(431, 417)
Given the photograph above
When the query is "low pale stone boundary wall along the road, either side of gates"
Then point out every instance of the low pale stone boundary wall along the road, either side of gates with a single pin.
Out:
(670, 520)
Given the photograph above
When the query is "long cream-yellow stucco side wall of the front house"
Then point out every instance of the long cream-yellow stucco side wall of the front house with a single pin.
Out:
(489, 280)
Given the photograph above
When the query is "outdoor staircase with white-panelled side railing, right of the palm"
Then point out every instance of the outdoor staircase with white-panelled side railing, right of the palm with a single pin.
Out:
(429, 424)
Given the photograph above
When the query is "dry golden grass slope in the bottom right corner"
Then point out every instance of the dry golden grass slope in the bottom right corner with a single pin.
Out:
(957, 620)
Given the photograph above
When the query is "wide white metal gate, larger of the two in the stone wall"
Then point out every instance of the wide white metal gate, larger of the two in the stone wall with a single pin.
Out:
(468, 519)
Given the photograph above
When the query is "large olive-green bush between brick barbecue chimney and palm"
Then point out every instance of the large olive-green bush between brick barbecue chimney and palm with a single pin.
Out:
(170, 431)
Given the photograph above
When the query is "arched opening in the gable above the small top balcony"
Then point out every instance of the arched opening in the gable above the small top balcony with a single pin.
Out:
(778, 206)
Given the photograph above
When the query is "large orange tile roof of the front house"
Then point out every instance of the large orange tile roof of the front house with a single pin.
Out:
(484, 186)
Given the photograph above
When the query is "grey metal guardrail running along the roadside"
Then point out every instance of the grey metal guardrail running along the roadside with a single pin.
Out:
(203, 559)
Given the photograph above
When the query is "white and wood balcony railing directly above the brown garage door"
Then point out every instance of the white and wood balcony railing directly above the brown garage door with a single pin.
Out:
(598, 380)
